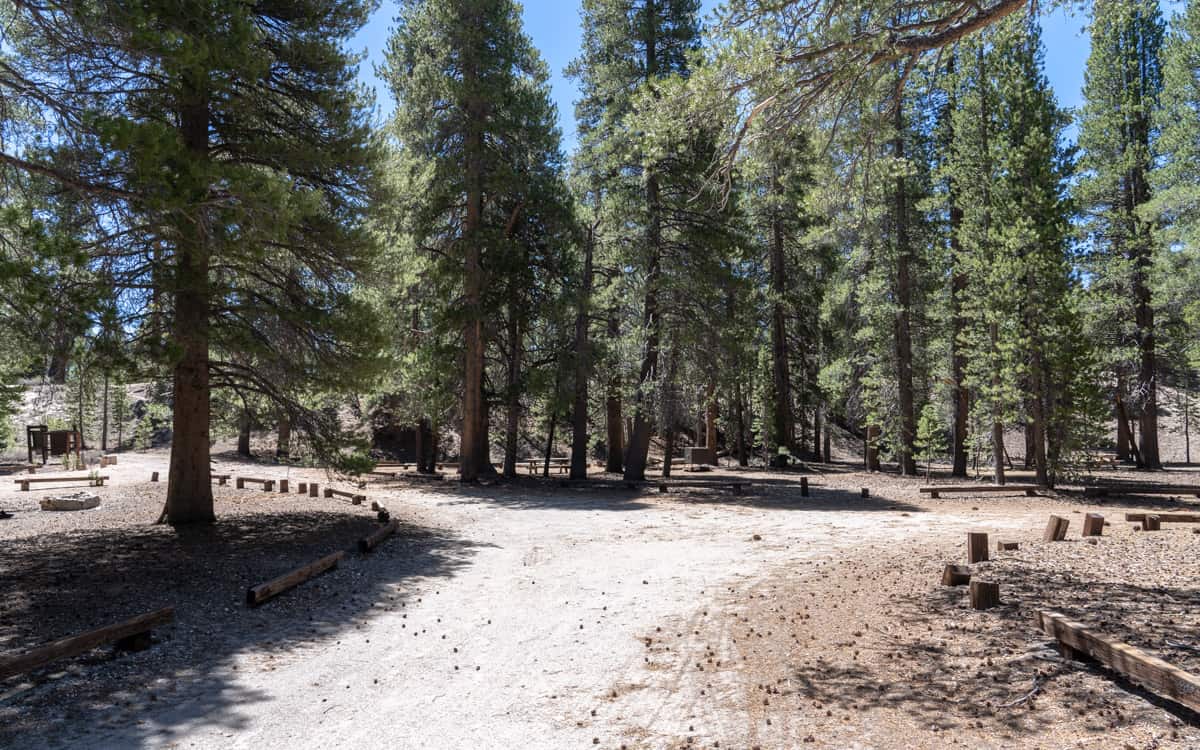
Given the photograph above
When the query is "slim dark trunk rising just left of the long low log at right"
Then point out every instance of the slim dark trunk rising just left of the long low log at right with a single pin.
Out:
(905, 454)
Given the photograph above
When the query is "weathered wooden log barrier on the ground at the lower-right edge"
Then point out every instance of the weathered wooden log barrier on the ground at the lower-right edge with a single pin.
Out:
(1142, 668)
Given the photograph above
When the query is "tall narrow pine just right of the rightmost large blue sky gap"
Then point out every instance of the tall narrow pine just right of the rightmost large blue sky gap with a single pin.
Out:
(1117, 137)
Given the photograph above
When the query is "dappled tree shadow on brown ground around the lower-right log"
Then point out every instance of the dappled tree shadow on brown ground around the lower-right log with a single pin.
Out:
(979, 671)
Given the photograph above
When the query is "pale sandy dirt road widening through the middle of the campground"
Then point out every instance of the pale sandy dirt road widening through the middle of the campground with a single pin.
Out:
(532, 617)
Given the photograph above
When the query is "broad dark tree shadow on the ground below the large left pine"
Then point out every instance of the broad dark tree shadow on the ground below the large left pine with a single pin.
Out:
(67, 584)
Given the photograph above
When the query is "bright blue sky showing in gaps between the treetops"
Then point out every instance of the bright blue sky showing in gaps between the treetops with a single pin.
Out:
(555, 29)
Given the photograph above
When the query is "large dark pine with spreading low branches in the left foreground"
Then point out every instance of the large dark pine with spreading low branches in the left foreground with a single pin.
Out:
(229, 149)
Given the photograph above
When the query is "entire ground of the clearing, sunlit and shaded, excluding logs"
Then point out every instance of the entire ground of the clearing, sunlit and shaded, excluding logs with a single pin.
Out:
(535, 616)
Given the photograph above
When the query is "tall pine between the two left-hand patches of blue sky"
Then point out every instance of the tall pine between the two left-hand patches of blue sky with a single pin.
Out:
(482, 207)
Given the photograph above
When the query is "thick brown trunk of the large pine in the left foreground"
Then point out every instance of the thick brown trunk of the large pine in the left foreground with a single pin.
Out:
(189, 485)
